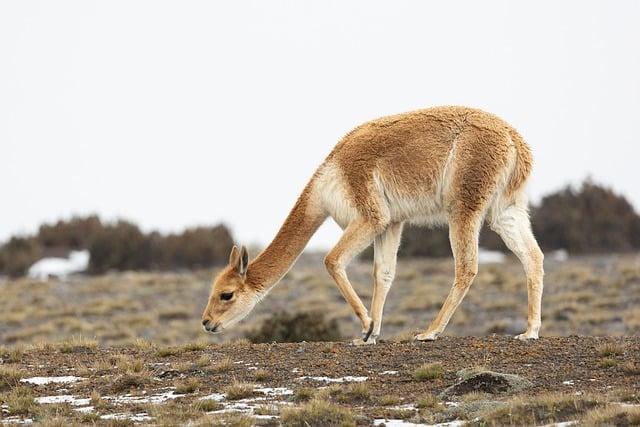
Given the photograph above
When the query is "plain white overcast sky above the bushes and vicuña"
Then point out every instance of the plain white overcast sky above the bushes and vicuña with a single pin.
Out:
(173, 114)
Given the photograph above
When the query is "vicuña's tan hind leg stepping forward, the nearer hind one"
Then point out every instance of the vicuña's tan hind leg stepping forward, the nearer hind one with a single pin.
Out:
(464, 245)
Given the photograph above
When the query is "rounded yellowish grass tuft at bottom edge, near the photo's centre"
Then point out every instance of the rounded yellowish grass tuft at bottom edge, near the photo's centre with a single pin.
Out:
(317, 413)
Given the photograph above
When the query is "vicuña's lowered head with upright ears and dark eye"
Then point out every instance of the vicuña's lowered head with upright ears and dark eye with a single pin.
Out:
(231, 298)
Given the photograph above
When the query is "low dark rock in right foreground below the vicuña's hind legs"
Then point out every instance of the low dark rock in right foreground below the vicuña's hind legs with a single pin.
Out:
(486, 382)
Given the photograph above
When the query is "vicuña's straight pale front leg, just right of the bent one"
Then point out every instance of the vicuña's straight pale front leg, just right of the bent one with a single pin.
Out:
(385, 248)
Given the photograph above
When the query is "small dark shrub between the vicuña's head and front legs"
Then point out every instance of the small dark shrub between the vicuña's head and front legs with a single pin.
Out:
(284, 327)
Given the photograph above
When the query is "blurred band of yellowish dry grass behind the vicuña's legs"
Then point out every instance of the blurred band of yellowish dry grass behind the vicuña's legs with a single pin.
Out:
(118, 308)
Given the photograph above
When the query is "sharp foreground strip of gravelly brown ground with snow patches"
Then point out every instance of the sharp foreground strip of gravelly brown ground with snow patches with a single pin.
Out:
(593, 380)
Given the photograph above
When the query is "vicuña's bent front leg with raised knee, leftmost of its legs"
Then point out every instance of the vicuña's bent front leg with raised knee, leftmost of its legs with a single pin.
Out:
(356, 237)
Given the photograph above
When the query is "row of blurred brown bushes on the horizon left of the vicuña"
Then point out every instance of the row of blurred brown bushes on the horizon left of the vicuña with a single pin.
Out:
(118, 246)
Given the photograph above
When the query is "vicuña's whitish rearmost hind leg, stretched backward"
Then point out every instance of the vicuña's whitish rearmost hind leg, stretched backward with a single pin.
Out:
(514, 228)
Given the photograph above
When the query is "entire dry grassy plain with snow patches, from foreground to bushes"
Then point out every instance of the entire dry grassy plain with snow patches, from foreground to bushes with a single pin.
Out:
(132, 350)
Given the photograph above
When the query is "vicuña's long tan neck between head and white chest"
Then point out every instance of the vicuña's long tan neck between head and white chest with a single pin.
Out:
(274, 262)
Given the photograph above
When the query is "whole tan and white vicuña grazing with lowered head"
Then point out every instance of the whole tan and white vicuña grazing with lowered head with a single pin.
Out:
(444, 165)
